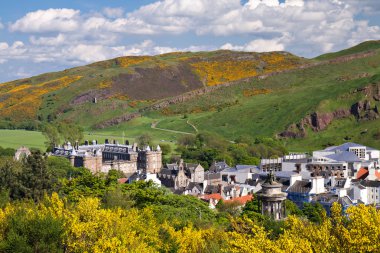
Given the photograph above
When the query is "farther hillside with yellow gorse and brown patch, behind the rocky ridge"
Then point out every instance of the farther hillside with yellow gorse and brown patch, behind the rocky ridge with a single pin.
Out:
(131, 82)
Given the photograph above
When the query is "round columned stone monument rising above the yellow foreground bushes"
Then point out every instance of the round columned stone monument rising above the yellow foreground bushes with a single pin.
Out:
(272, 199)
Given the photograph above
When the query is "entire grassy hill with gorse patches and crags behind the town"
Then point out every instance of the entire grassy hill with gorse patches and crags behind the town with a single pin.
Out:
(229, 93)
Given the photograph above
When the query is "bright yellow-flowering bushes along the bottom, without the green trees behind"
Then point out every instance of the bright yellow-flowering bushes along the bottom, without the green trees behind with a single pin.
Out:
(55, 225)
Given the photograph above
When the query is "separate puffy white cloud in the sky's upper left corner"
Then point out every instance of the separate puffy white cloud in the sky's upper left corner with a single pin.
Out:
(51, 20)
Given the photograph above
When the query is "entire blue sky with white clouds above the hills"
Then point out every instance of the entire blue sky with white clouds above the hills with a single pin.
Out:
(39, 36)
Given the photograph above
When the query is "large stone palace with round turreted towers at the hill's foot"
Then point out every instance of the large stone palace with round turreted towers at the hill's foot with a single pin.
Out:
(104, 157)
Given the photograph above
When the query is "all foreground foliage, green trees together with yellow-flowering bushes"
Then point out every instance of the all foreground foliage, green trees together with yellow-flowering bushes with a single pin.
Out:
(93, 213)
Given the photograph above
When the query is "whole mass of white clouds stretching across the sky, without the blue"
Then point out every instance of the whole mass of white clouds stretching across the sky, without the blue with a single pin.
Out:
(306, 28)
